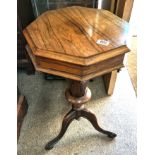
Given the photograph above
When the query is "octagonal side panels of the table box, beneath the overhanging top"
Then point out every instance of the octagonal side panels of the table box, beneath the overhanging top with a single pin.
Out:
(75, 72)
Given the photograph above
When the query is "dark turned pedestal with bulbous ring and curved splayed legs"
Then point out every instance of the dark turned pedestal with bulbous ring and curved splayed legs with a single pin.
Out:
(77, 94)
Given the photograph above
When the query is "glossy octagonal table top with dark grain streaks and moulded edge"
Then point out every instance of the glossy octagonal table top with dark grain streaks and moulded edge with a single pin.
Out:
(70, 35)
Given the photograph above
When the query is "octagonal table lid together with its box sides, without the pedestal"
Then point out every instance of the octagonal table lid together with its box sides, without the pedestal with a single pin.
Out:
(63, 42)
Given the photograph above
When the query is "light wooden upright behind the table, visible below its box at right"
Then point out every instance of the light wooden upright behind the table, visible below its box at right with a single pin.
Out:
(109, 81)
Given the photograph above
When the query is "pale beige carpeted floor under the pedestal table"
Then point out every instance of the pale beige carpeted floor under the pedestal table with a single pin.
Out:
(47, 106)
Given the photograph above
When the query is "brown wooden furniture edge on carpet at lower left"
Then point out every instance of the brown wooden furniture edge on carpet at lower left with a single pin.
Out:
(22, 107)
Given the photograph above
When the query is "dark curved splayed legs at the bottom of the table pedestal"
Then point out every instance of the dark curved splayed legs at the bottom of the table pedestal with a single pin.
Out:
(76, 114)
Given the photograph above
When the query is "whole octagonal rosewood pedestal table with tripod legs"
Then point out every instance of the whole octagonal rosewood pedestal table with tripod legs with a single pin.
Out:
(78, 43)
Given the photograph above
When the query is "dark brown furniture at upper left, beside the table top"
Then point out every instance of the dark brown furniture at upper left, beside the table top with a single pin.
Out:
(24, 17)
